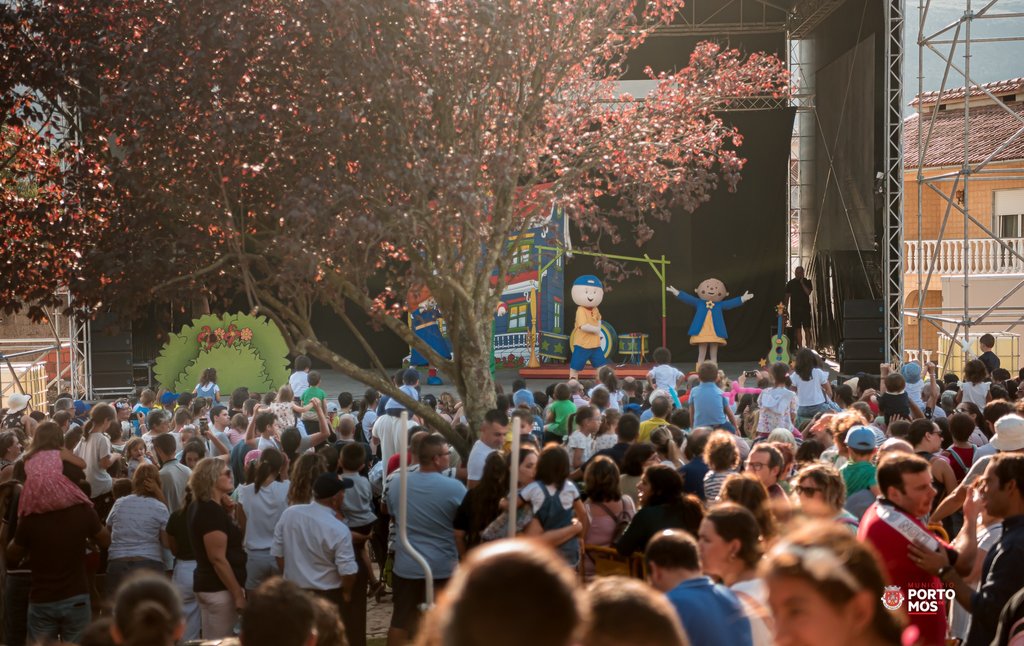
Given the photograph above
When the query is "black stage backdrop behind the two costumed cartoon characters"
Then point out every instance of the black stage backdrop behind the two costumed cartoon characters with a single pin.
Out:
(740, 238)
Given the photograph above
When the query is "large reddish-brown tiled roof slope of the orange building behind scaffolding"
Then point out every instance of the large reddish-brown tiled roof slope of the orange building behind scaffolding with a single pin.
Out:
(991, 127)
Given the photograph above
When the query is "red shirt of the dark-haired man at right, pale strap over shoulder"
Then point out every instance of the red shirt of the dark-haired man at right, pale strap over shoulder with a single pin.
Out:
(892, 547)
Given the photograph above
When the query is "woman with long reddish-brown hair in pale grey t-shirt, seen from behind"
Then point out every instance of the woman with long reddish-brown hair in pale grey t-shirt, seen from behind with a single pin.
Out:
(137, 524)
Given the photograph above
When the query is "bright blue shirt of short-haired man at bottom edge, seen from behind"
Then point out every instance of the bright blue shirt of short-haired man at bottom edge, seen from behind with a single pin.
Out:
(711, 614)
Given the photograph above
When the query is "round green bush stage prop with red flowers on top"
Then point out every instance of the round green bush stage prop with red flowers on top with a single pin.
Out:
(246, 352)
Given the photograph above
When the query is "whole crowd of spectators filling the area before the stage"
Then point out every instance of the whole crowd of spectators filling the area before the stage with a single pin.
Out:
(779, 508)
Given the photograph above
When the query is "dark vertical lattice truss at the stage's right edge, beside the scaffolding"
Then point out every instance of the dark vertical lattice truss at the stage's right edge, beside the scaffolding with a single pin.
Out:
(892, 255)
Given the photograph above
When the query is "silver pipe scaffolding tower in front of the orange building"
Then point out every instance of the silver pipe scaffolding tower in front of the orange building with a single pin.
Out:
(954, 45)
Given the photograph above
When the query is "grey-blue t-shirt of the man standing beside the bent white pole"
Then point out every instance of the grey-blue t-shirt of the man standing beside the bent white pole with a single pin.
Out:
(434, 500)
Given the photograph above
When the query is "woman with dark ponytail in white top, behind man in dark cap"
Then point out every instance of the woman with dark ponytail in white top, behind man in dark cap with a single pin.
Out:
(259, 510)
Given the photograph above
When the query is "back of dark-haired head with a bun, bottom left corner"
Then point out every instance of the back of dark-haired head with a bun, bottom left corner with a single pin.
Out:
(148, 613)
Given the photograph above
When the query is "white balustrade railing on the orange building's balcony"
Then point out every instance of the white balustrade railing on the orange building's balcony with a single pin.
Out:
(951, 256)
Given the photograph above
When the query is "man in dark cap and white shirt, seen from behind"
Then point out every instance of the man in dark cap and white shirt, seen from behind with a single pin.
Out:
(315, 549)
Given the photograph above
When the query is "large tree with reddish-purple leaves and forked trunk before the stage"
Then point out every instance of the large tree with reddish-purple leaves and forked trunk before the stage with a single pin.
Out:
(339, 153)
